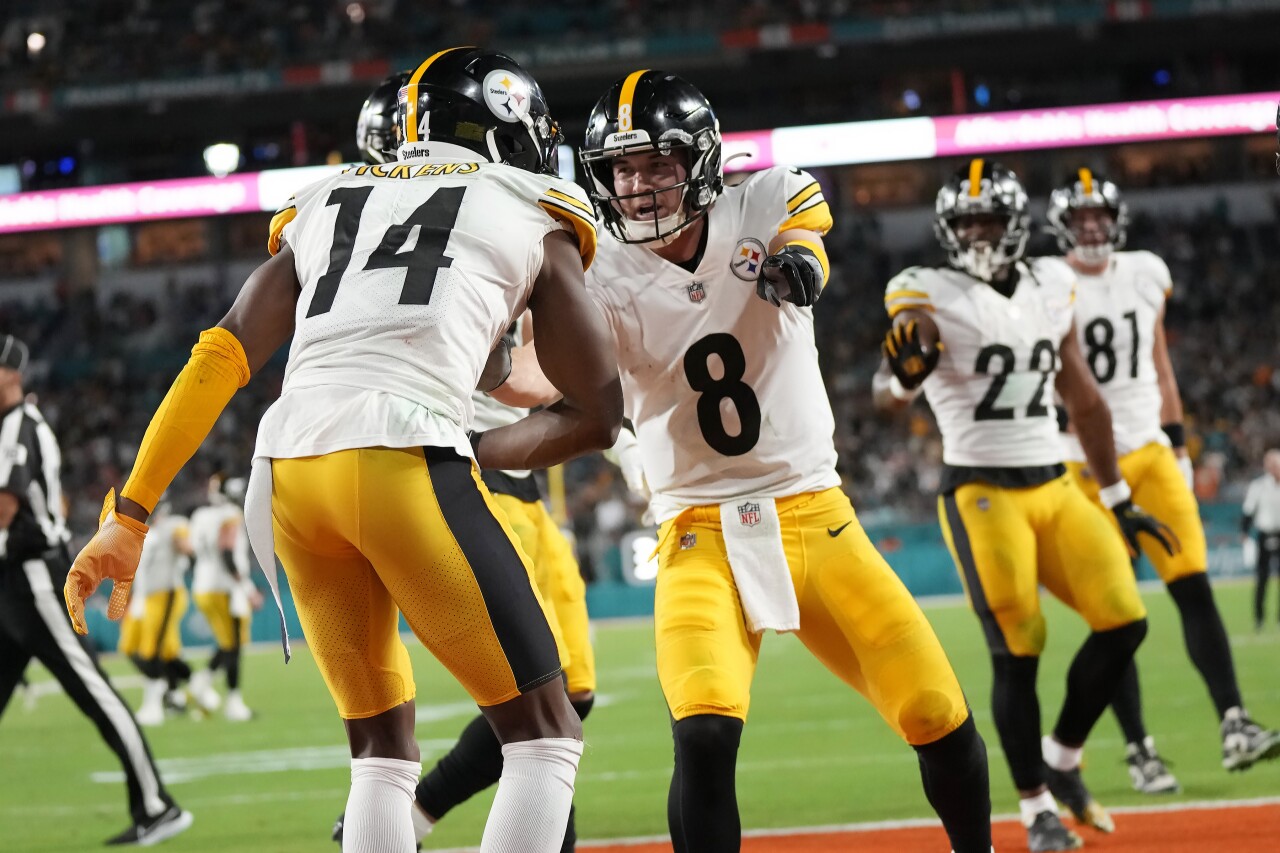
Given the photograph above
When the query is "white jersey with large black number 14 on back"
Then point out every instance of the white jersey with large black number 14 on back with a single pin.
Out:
(410, 273)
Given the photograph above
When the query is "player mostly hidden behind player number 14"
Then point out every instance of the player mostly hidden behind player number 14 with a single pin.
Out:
(476, 763)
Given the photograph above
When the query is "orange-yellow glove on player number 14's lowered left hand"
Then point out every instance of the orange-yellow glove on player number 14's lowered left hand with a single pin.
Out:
(113, 553)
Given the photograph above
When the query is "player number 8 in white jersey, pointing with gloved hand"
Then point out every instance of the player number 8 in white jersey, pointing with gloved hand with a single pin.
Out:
(710, 294)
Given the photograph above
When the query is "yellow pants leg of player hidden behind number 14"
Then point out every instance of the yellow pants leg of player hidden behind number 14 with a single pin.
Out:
(560, 582)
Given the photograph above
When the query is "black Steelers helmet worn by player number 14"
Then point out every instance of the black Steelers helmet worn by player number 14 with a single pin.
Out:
(464, 102)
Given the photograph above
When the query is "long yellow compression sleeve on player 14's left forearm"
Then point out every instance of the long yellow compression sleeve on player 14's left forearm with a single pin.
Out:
(216, 371)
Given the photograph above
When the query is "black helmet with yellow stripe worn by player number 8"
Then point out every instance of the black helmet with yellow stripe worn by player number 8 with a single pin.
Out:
(653, 111)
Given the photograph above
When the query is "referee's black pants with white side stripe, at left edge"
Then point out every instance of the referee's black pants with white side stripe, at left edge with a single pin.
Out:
(34, 624)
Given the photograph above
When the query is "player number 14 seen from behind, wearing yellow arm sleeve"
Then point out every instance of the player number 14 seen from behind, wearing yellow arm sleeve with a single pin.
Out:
(394, 284)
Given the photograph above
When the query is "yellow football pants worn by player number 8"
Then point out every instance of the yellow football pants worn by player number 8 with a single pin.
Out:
(856, 617)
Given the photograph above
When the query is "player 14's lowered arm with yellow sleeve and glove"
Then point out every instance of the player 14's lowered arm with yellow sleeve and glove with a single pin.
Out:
(221, 363)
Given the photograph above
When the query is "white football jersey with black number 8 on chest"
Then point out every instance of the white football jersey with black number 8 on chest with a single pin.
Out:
(723, 387)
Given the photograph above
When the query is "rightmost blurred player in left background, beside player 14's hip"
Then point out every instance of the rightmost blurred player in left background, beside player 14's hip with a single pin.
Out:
(225, 591)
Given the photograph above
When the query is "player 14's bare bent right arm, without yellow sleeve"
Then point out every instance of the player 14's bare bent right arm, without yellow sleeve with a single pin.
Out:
(575, 353)
